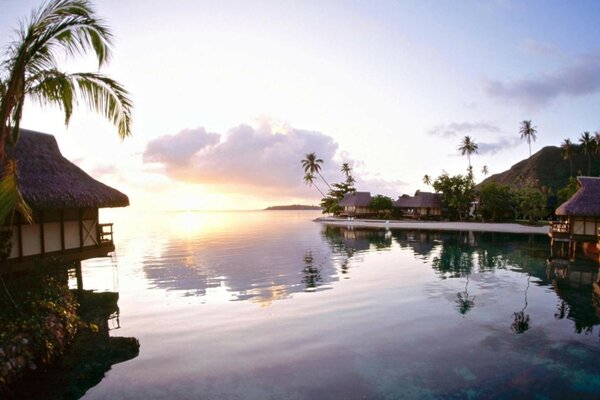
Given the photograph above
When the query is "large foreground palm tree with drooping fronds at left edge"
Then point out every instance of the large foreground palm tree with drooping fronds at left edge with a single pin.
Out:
(30, 69)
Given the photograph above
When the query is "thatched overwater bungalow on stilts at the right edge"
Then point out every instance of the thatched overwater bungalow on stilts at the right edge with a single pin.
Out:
(580, 219)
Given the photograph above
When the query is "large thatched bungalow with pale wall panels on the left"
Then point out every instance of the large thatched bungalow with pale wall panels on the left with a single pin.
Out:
(65, 202)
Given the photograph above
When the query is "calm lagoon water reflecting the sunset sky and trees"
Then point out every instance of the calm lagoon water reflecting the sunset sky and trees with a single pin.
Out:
(270, 305)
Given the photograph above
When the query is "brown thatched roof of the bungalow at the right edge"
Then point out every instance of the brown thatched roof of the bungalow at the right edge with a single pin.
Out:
(586, 201)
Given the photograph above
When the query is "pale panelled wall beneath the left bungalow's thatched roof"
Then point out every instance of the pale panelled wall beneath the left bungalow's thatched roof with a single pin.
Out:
(55, 231)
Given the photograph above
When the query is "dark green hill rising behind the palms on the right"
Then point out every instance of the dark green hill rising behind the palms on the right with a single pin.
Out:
(548, 167)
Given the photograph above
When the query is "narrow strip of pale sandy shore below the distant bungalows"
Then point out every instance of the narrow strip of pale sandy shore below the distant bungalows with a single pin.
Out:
(438, 226)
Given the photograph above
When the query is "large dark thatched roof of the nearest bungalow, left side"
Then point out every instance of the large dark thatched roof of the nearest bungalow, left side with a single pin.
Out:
(49, 181)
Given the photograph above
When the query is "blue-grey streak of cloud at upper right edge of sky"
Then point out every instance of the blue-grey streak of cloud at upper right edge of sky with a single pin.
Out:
(578, 79)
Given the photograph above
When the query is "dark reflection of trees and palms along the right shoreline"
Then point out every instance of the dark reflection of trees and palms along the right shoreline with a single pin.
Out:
(460, 254)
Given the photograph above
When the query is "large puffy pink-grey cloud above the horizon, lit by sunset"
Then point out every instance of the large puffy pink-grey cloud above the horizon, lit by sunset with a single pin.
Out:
(244, 157)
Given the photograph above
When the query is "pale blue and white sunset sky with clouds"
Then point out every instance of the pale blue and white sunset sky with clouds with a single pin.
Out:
(230, 95)
